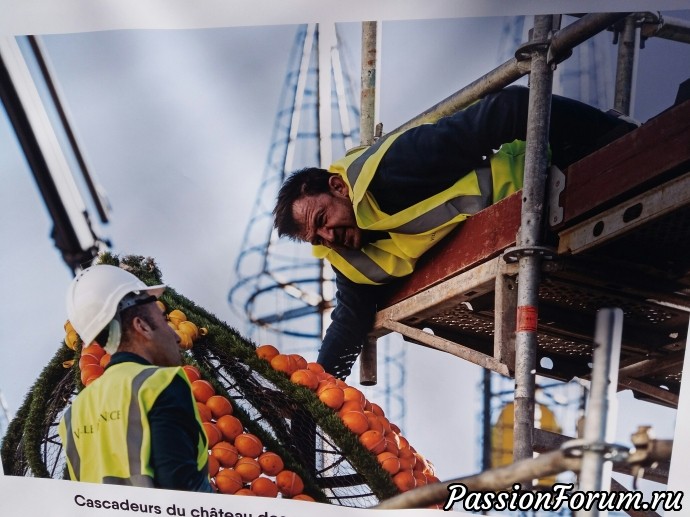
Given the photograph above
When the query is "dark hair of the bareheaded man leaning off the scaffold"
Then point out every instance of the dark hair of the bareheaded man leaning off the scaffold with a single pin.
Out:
(309, 181)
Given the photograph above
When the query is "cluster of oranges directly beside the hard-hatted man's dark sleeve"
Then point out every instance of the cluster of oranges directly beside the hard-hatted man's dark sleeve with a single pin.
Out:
(238, 462)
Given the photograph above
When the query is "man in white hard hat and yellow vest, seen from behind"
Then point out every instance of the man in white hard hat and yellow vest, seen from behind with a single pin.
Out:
(138, 424)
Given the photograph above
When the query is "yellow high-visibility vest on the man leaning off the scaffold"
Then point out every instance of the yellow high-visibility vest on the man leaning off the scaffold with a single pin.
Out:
(417, 228)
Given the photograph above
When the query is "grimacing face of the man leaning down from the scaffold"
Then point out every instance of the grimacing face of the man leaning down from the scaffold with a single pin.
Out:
(328, 219)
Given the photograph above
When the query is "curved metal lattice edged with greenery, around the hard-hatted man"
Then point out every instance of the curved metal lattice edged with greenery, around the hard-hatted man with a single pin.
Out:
(289, 419)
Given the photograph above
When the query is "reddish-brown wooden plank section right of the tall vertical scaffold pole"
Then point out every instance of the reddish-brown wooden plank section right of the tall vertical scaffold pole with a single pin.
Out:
(628, 164)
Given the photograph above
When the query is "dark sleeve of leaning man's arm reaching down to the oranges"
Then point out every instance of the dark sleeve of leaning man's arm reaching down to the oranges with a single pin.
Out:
(351, 320)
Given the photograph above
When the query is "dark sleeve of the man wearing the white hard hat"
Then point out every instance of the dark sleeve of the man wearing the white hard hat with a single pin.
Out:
(174, 438)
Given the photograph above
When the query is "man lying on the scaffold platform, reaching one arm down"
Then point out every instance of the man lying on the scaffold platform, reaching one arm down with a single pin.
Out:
(378, 209)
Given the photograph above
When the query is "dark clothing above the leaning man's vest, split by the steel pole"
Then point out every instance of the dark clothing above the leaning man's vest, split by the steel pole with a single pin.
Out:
(429, 158)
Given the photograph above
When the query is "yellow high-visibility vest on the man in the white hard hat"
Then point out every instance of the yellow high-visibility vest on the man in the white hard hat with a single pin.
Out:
(105, 432)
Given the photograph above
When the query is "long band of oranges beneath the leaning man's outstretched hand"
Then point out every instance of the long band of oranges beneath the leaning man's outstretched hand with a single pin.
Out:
(367, 420)
